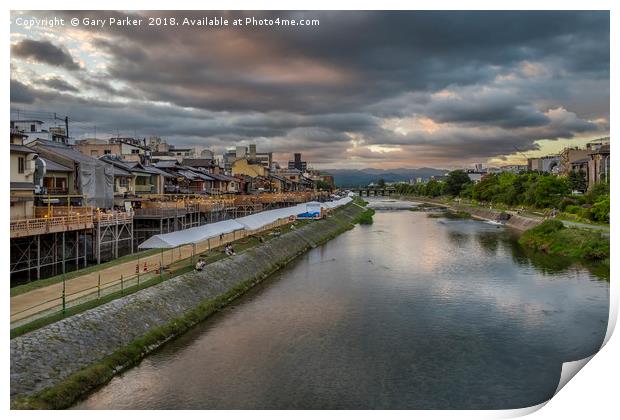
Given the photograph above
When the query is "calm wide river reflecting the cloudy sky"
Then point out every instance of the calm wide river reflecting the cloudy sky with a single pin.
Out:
(410, 312)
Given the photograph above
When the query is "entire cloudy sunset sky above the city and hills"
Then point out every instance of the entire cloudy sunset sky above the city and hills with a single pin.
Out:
(361, 89)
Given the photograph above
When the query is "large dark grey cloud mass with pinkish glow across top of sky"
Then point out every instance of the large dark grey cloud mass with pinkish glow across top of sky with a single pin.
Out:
(353, 60)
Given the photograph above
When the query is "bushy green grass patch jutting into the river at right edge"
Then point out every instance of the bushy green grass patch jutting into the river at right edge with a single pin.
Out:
(553, 238)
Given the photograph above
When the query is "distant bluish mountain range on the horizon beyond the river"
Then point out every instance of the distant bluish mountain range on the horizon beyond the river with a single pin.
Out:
(363, 177)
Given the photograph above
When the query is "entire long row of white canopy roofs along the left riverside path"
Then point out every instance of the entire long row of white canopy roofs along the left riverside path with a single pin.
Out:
(251, 222)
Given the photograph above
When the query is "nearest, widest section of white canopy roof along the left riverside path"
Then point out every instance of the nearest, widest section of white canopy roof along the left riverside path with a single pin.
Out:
(191, 235)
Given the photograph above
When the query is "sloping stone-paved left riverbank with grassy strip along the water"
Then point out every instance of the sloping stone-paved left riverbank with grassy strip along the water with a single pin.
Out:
(54, 366)
